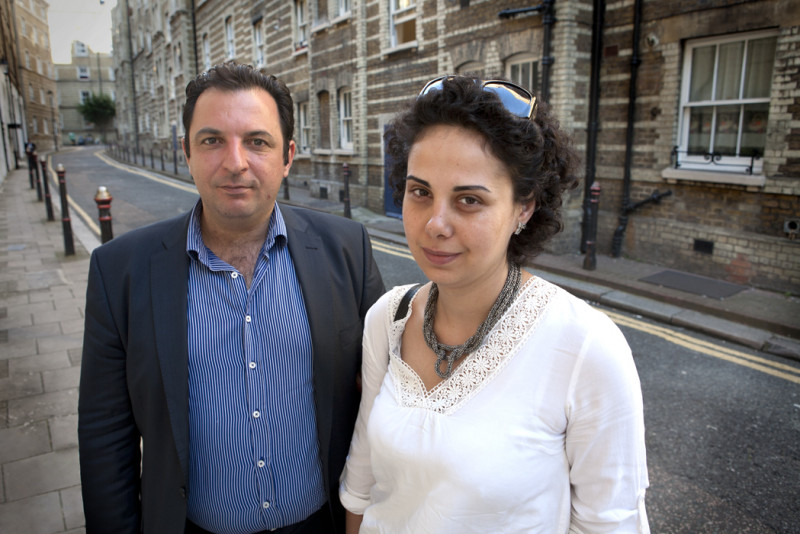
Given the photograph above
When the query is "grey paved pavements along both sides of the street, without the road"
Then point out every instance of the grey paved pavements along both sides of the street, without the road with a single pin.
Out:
(42, 298)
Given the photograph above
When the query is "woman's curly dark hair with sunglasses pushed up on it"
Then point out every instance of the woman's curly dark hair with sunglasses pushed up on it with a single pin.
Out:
(538, 154)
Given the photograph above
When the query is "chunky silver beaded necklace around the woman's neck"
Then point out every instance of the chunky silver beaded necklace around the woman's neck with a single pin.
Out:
(450, 353)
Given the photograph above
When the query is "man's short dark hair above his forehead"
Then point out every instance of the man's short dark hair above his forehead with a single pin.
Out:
(233, 77)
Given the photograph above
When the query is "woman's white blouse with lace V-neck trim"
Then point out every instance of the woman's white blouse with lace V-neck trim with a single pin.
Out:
(539, 430)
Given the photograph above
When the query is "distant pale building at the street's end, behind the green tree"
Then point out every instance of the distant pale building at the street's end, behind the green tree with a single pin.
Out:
(87, 73)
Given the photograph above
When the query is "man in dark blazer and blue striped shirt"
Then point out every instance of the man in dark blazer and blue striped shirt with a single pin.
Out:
(228, 340)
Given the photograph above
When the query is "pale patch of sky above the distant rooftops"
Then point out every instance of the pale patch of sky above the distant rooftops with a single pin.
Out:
(79, 20)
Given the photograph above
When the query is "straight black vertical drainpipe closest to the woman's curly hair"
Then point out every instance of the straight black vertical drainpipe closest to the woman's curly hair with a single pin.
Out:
(592, 126)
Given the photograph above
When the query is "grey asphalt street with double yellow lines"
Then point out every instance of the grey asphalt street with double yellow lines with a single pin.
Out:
(723, 421)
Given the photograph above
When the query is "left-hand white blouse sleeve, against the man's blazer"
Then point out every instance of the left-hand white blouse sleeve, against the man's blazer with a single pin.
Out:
(357, 479)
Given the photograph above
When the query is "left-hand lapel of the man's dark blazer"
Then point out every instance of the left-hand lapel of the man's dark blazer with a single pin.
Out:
(169, 275)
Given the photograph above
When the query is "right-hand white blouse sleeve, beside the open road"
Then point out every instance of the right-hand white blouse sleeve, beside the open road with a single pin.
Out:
(605, 435)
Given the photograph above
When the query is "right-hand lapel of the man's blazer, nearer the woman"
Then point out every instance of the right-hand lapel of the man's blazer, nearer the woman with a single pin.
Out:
(305, 248)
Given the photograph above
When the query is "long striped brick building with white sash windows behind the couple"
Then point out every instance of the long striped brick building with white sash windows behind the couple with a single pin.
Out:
(711, 117)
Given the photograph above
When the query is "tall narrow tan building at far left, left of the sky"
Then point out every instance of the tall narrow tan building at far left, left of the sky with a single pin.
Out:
(37, 84)
